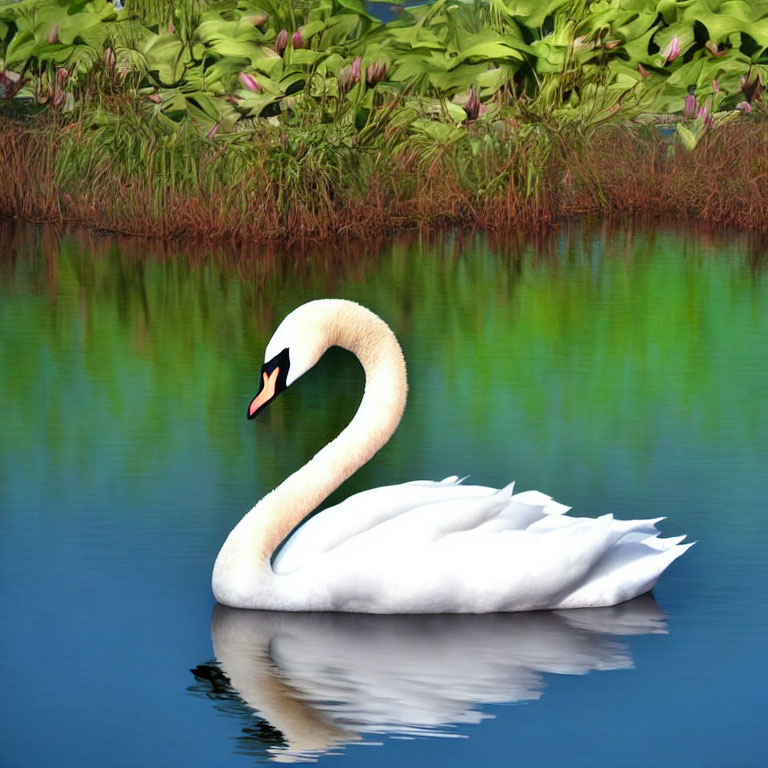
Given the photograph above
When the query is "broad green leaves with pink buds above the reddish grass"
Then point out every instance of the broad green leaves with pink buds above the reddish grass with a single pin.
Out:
(219, 66)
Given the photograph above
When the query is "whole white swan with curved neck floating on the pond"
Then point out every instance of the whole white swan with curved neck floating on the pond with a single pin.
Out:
(421, 546)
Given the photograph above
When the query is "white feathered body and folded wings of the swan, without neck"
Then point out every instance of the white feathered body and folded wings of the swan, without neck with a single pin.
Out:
(458, 547)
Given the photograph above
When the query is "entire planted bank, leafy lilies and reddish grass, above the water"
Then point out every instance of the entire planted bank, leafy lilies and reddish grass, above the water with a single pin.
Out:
(262, 120)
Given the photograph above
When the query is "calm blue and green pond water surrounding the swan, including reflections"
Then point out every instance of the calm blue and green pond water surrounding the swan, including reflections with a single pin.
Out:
(621, 371)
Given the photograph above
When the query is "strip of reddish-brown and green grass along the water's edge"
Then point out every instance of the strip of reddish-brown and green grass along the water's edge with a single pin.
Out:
(271, 186)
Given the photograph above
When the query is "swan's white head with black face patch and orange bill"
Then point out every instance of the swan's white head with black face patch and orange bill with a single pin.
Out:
(297, 344)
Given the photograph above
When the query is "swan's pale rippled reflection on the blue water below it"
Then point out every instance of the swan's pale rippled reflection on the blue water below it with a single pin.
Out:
(325, 679)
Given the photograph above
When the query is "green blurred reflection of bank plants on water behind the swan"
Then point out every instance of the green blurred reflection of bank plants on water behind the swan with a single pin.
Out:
(555, 362)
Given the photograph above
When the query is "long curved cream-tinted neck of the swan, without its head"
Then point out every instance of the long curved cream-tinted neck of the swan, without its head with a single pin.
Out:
(254, 539)
